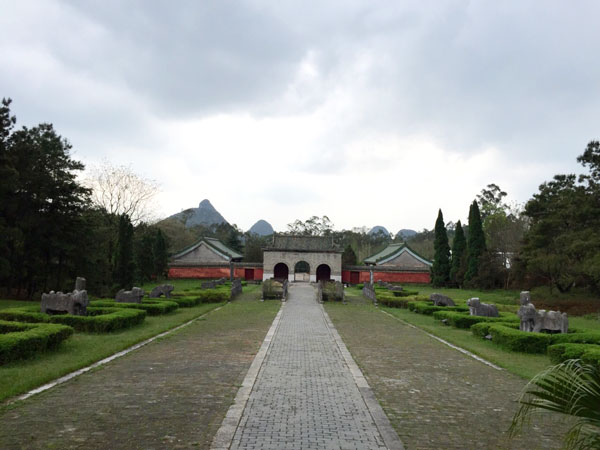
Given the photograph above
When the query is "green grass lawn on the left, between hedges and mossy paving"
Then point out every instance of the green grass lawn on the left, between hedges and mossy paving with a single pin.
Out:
(83, 349)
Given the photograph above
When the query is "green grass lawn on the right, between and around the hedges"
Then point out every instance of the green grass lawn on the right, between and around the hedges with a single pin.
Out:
(523, 364)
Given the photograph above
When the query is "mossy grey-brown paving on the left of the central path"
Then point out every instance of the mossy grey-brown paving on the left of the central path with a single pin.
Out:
(173, 393)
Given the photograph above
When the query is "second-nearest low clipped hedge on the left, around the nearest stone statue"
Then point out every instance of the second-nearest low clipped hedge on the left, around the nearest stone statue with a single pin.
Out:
(98, 320)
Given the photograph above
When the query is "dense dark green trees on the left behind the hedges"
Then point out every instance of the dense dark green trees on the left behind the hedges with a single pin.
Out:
(52, 232)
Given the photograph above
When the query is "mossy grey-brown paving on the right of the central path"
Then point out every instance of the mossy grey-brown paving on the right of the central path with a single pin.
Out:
(435, 396)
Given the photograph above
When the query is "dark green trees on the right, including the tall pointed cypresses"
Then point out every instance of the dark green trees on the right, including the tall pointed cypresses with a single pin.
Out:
(553, 240)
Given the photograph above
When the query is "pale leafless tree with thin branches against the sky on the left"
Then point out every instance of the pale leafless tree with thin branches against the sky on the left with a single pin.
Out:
(121, 191)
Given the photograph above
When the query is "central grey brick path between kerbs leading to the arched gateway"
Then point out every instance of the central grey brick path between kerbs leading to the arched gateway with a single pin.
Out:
(305, 395)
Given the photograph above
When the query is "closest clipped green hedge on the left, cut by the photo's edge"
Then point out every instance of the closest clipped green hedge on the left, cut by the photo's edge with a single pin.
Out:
(21, 340)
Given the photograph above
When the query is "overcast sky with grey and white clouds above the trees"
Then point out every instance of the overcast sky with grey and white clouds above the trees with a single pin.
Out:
(370, 112)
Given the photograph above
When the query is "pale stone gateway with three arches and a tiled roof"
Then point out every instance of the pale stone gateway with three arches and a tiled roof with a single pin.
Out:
(312, 258)
